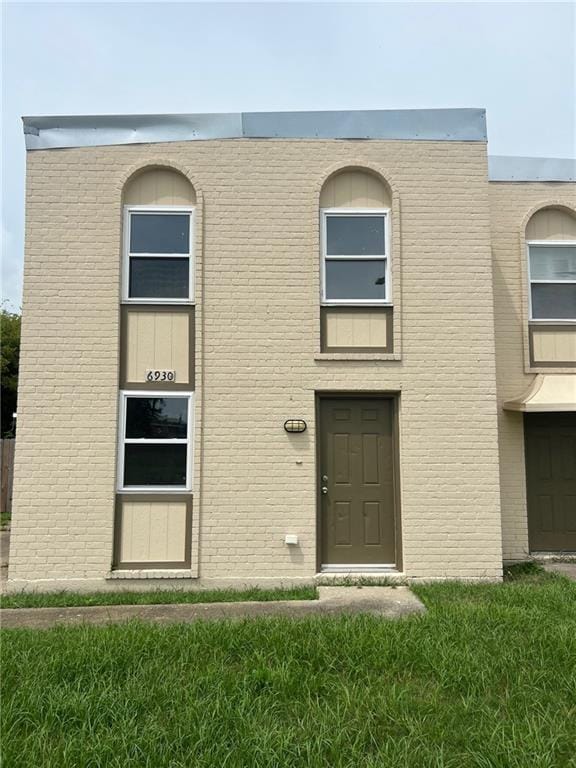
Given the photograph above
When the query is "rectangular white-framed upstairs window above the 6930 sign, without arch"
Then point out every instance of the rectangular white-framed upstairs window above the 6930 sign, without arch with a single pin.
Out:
(158, 264)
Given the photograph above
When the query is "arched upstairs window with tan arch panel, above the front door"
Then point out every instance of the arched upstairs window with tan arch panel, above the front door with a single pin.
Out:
(355, 239)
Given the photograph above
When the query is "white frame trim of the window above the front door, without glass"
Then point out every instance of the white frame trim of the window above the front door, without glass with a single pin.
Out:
(380, 212)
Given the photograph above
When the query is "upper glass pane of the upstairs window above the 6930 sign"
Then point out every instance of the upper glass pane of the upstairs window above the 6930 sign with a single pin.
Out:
(159, 233)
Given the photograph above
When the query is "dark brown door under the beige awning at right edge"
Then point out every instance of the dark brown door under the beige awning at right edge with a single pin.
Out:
(551, 481)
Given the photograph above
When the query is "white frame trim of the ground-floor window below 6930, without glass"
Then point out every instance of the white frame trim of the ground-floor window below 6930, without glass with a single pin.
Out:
(122, 441)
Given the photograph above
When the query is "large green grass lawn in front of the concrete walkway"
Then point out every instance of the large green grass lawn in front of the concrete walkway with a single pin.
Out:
(486, 679)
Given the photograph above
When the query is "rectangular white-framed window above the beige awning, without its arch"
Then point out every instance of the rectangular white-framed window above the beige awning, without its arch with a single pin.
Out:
(552, 277)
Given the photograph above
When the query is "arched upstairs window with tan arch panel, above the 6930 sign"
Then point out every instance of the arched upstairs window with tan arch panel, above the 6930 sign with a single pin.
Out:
(158, 237)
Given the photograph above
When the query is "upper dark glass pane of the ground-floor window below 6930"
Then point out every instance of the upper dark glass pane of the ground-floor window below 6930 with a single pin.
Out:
(163, 418)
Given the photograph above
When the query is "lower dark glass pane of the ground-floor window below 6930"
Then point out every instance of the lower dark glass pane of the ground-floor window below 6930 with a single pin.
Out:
(154, 464)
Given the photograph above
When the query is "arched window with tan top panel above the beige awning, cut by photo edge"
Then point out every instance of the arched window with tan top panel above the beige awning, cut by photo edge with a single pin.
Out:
(551, 245)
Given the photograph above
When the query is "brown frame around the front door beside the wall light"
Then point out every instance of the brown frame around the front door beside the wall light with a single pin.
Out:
(394, 397)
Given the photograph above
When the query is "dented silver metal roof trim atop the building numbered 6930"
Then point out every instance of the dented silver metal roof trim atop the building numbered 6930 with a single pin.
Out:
(401, 124)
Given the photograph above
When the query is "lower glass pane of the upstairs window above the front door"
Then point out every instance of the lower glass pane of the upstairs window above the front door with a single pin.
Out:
(356, 279)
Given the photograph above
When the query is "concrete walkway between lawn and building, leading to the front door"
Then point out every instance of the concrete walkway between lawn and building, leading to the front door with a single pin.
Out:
(387, 602)
